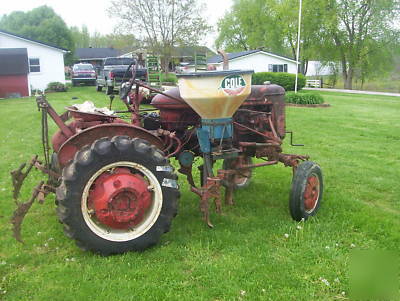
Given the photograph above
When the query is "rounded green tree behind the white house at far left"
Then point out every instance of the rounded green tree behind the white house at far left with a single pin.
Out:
(42, 24)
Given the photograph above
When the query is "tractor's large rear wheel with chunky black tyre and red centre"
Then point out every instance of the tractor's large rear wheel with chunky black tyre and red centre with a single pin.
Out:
(117, 195)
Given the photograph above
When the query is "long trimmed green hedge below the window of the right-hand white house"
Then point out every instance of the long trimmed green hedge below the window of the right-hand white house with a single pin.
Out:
(283, 79)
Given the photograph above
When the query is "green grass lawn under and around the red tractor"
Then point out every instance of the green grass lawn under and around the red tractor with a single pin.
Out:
(247, 256)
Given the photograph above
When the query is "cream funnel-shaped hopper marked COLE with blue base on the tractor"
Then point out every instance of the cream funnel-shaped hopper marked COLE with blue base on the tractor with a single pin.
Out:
(215, 96)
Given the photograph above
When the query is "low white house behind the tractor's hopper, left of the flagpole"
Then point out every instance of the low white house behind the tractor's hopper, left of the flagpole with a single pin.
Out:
(257, 60)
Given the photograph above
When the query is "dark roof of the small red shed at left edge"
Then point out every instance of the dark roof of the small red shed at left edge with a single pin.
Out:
(13, 61)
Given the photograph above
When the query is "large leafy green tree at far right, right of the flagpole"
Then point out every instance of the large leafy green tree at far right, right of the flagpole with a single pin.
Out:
(358, 33)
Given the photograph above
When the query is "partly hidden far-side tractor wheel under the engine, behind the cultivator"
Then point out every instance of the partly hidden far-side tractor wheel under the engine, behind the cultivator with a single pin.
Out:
(241, 178)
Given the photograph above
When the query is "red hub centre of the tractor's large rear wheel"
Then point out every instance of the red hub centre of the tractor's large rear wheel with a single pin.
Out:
(119, 198)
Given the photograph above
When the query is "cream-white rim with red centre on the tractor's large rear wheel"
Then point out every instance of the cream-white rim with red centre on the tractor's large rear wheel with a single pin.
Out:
(121, 201)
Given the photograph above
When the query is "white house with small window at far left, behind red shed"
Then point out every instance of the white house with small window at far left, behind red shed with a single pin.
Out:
(46, 62)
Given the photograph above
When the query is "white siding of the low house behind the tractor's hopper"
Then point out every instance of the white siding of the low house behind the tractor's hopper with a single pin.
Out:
(258, 62)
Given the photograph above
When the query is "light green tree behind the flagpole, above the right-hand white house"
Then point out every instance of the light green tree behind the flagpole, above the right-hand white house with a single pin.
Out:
(271, 25)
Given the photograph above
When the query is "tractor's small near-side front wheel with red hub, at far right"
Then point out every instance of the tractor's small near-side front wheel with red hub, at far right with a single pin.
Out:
(307, 188)
